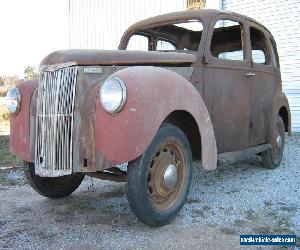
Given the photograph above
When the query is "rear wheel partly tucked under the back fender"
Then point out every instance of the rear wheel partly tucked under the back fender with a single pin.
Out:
(272, 158)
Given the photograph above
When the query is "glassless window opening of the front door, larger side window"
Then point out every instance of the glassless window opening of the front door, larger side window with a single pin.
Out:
(227, 41)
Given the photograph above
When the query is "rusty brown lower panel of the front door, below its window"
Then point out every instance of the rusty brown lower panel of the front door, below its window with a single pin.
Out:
(230, 113)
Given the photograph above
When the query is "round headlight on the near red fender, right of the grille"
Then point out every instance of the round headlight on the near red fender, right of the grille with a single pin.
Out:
(113, 95)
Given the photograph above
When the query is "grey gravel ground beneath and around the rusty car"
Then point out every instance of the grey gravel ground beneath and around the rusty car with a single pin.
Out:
(236, 199)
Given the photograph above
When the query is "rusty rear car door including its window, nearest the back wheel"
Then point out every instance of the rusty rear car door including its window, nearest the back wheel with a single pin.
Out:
(265, 79)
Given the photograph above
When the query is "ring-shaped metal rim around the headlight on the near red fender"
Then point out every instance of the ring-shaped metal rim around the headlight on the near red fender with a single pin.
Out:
(123, 94)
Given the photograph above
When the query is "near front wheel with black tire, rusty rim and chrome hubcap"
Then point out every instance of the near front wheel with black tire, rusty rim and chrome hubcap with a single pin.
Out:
(150, 199)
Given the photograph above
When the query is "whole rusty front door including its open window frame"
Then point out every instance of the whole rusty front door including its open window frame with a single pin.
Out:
(226, 81)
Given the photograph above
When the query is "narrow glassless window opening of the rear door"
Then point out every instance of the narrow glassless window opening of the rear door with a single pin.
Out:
(258, 46)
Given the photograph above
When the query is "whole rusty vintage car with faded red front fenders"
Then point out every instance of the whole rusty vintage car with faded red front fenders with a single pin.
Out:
(192, 85)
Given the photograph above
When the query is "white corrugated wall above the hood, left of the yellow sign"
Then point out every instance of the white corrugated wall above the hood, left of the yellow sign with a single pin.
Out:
(99, 24)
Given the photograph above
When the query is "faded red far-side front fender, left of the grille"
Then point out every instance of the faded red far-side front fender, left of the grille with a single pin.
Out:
(19, 123)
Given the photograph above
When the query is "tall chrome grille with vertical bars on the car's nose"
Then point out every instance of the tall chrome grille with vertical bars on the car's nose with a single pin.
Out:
(54, 122)
